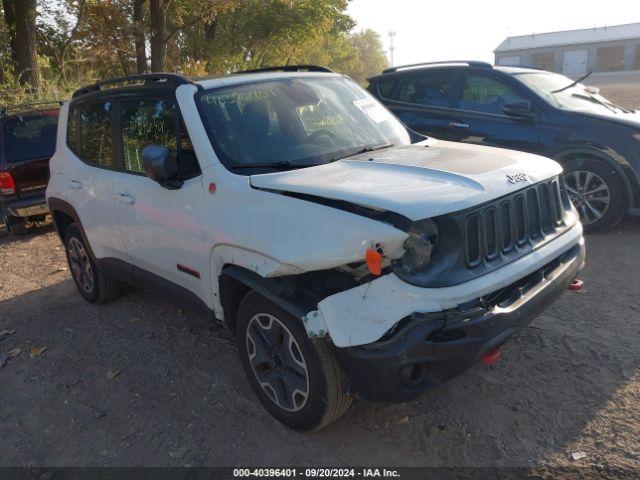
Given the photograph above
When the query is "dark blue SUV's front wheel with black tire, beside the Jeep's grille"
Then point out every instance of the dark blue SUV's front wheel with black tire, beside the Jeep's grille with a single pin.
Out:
(602, 176)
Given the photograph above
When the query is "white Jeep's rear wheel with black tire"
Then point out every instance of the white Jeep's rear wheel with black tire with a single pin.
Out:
(93, 284)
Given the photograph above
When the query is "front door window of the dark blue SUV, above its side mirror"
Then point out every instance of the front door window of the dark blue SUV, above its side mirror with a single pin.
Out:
(484, 94)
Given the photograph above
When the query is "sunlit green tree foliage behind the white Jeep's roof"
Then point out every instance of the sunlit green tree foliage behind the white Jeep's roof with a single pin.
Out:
(82, 41)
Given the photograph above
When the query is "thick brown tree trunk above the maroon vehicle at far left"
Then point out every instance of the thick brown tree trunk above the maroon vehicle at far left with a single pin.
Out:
(27, 62)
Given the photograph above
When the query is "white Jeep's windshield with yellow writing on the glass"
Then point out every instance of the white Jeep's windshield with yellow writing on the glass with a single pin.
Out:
(295, 122)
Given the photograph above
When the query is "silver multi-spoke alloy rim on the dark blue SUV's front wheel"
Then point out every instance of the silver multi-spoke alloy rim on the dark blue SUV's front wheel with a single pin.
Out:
(589, 193)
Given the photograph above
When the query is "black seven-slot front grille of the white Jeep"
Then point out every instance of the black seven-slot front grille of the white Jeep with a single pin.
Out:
(517, 221)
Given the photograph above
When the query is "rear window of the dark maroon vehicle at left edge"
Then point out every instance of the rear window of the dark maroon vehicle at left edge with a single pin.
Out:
(30, 137)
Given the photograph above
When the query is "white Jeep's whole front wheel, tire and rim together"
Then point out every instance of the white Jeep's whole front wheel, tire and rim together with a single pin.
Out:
(297, 379)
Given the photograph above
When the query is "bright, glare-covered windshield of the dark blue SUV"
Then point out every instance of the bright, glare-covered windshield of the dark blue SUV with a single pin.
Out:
(577, 97)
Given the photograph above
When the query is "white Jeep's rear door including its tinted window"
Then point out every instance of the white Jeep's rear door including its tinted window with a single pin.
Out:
(90, 173)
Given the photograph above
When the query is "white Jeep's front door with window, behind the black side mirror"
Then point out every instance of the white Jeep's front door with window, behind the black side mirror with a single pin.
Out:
(161, 228)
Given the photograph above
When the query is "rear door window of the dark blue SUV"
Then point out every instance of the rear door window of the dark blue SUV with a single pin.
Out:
(432, 89)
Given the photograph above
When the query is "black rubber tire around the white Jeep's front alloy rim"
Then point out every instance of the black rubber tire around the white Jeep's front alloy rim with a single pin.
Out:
(326, 399)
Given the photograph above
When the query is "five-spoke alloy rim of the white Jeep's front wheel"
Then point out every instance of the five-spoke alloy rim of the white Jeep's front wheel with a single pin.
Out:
(277, 362)
